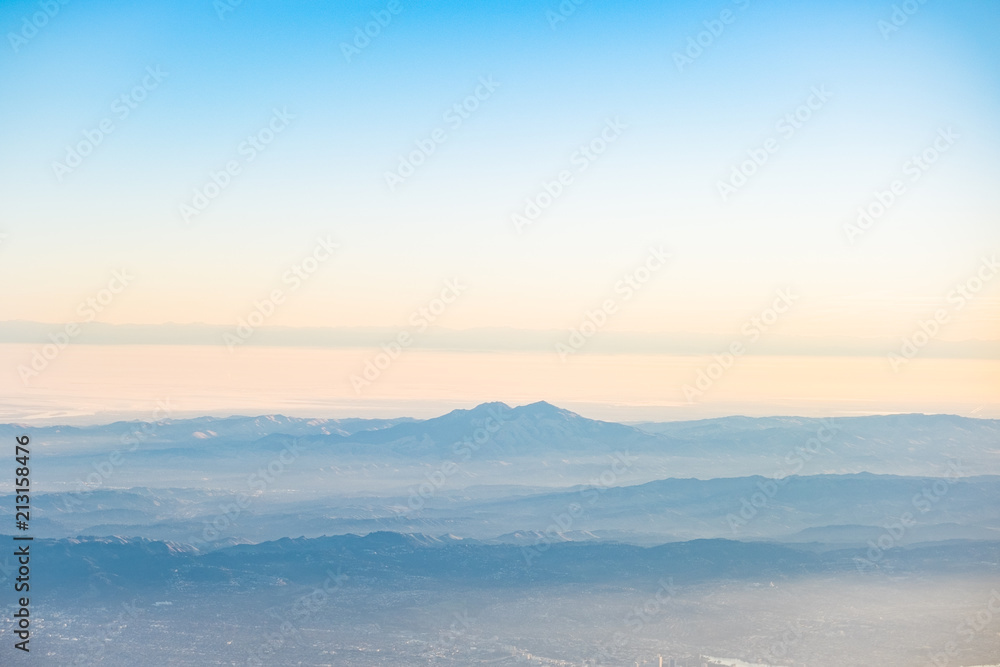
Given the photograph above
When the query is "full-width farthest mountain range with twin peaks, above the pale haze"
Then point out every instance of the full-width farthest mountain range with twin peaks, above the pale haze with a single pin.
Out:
(900, 444)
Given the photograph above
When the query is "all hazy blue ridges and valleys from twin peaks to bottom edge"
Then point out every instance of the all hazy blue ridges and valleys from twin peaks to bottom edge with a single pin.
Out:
(527, 535)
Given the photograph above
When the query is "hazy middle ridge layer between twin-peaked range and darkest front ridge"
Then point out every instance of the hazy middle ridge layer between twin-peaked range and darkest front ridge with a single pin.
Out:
(834, 509)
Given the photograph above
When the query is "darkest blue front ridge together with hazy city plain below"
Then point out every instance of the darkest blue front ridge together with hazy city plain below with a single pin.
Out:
(387, 598)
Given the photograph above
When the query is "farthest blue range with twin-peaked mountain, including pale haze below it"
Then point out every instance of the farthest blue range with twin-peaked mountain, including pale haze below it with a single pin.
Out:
(537, 444)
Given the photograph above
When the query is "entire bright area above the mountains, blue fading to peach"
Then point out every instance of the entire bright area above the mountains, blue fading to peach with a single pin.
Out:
(498, 172)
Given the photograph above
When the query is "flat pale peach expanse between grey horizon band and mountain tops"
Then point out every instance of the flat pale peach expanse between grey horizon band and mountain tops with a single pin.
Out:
(93, 382)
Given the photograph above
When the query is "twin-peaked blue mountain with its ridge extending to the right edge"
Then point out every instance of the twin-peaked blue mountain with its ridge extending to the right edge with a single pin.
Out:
(496, 431)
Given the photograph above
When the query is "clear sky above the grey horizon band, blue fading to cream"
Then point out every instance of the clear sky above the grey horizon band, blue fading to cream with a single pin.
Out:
(559, 84)
